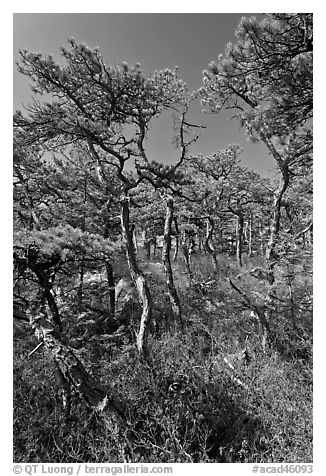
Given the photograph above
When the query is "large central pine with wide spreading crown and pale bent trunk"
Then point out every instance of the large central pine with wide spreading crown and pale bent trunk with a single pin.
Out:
(109, 110)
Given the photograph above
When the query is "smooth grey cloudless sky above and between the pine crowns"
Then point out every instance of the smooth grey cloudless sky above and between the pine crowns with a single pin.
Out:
(157, 41)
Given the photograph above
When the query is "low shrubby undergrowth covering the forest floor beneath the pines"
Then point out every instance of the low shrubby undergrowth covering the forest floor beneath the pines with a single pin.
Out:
(211, 394)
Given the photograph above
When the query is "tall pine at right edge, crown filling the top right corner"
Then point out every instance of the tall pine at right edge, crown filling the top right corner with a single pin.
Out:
(265, 79)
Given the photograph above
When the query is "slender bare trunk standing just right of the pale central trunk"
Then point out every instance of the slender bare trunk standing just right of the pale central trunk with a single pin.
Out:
(172, 292)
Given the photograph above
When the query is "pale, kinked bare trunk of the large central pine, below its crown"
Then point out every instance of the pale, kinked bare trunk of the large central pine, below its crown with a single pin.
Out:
(139, 280)
